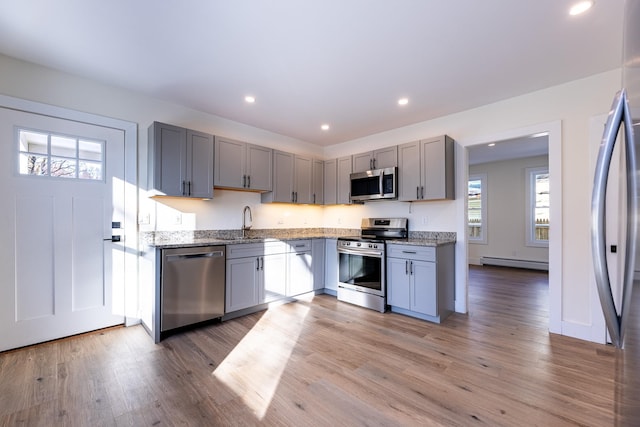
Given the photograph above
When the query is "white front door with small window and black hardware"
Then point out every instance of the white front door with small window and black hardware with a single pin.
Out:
(61, 191)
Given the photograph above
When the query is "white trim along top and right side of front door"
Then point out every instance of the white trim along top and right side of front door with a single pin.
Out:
(130, 231)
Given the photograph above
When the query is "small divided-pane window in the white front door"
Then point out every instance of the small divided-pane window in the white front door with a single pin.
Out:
(47, 154)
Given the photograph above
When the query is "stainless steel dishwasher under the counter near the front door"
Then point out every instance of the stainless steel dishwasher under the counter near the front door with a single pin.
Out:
(192, 285)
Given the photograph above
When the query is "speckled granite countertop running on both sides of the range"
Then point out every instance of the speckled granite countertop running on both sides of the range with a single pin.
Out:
(182, 239)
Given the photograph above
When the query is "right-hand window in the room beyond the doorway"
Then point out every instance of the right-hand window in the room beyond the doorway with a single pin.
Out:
(537, 206)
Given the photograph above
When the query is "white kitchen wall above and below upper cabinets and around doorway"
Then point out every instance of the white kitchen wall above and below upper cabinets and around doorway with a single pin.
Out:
(572, 104)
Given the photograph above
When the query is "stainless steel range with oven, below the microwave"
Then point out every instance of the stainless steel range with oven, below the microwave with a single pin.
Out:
(361, 262)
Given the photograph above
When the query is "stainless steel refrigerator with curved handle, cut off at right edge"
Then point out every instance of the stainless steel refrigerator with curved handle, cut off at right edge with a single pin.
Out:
(620, 300)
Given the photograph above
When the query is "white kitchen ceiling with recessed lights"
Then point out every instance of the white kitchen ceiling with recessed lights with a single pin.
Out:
(342, 62)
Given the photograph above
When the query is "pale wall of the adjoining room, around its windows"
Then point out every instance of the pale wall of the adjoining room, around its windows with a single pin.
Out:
(506, 211)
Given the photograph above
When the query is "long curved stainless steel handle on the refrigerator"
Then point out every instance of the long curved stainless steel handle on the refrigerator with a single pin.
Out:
(616, 321)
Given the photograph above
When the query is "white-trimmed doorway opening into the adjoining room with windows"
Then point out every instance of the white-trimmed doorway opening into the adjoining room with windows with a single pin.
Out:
(497, 233)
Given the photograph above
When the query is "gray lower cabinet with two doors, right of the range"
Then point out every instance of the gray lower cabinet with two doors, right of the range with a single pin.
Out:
(421, 280)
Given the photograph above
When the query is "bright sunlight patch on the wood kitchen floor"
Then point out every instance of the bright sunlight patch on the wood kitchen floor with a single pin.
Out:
(254, 368)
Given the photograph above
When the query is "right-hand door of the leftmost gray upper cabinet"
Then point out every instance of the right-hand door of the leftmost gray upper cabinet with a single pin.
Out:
(199, 164)
